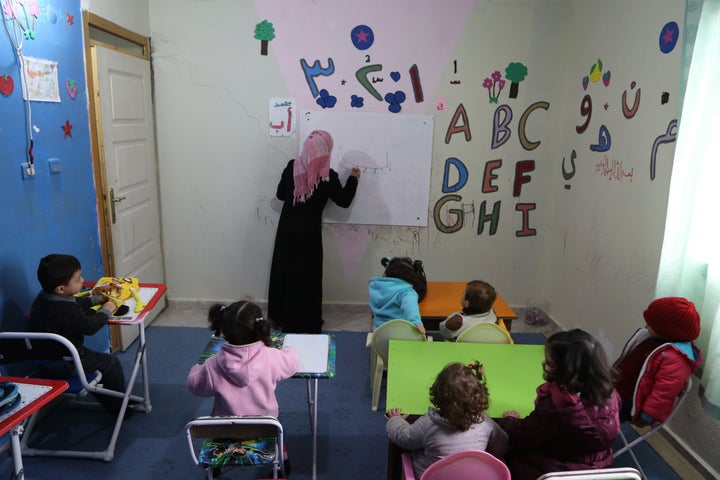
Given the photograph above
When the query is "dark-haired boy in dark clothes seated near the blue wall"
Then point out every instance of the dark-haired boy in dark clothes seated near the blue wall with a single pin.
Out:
(56, 309)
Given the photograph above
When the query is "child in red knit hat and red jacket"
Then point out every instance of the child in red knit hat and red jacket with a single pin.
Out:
(657, 361)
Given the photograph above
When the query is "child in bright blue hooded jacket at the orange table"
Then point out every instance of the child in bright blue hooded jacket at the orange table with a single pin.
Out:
(393, 296)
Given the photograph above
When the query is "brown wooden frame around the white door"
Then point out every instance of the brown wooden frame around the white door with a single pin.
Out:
(125, 41)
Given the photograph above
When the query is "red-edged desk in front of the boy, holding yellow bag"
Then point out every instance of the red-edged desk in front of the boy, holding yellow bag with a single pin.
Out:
(150, 294)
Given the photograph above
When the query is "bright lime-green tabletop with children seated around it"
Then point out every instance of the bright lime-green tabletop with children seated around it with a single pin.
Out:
(512, 372)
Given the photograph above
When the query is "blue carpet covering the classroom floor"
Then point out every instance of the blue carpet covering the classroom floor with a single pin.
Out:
(352, 440)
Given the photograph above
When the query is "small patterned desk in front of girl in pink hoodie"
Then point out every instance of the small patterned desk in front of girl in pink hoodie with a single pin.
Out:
(306, 349)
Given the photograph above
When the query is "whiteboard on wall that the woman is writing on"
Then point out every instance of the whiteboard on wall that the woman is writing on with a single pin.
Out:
(394, 154)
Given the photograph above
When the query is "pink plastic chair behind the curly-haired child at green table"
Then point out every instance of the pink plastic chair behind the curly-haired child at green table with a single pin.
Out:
(459, 466)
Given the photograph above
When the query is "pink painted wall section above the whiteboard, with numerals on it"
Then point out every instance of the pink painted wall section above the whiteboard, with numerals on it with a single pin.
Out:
(400, 48)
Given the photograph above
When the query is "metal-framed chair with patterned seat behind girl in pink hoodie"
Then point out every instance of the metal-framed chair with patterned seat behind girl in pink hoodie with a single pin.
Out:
(247, 440)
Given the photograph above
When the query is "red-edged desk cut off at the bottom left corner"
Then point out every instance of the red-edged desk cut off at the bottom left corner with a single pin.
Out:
(34, 394)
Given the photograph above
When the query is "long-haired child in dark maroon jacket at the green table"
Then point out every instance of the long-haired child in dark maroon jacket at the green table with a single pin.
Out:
(575, 420)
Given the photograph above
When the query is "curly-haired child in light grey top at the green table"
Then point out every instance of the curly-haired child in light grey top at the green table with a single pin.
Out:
(456, 422)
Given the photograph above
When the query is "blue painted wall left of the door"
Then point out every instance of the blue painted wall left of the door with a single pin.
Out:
(48, 213)
